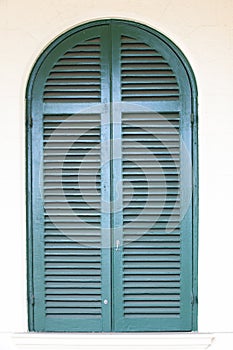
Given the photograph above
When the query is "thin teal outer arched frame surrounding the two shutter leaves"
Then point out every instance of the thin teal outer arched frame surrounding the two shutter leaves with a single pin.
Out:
(29, 121)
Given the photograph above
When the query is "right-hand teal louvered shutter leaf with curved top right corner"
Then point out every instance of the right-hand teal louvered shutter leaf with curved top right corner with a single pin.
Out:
(152, 280)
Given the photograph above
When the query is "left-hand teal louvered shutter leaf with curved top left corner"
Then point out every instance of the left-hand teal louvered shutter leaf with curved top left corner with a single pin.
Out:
(71, 228)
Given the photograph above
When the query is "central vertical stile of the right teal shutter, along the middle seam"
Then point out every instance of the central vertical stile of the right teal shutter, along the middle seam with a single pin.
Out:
(116, 152)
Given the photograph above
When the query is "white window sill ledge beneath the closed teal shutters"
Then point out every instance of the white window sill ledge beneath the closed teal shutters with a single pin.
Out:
(123, 341)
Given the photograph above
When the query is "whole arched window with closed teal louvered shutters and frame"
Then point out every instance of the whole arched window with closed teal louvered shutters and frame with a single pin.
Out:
(112, 177)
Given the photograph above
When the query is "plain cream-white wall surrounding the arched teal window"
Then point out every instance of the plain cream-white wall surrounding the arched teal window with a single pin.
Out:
(203, 30)
